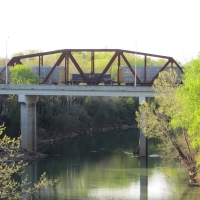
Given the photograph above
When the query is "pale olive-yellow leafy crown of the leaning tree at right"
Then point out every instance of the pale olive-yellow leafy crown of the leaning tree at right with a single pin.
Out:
(154, 117)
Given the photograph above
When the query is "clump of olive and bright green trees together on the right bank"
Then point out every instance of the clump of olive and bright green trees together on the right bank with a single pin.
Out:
(173, 117)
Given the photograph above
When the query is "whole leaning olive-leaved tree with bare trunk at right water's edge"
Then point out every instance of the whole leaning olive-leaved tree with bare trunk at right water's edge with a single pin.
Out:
(159, 117)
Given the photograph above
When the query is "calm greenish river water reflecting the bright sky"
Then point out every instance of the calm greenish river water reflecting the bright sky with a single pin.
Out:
(102, 167)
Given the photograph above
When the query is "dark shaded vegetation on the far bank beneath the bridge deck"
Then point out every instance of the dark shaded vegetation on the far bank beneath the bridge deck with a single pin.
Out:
(59, 114)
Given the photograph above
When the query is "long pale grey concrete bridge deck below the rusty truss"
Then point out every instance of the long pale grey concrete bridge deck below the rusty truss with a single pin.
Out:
(66, 90)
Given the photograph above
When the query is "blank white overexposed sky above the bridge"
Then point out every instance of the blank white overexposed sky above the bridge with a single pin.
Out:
(163, 27)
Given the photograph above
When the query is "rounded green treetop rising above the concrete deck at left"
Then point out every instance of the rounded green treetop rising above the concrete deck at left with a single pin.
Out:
(23, 75)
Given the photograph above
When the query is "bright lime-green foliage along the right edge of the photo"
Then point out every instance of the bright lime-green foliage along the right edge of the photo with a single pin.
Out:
(189, 94)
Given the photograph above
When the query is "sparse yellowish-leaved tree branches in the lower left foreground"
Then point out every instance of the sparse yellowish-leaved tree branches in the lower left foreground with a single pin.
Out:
(11, 163)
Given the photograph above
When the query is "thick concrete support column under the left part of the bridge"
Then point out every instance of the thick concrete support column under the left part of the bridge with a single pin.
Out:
(28, 121)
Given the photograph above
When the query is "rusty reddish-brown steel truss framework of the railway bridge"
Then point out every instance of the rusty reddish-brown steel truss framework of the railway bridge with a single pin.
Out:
(67, 54)
